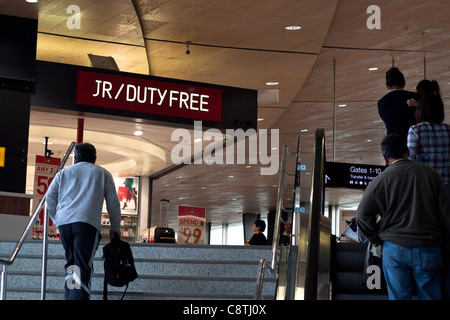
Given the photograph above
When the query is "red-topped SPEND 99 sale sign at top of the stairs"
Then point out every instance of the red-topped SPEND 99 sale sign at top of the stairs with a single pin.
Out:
(191, 224)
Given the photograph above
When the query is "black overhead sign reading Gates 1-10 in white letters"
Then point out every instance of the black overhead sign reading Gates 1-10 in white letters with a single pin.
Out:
(350, 175)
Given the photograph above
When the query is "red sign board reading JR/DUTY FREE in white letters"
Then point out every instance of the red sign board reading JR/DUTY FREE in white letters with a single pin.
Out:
(148, 96)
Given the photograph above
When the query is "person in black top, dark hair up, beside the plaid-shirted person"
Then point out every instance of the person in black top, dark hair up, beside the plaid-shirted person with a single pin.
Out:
(393, 107)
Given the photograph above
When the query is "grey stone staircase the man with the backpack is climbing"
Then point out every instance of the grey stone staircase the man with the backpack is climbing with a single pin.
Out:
(166, 271)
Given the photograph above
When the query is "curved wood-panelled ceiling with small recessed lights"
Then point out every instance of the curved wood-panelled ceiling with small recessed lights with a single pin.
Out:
(322, 70)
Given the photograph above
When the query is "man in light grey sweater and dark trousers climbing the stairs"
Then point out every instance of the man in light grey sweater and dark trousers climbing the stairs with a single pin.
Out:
(74, 202)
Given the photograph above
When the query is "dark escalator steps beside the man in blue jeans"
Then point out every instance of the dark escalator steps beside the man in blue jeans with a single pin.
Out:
(348, 274)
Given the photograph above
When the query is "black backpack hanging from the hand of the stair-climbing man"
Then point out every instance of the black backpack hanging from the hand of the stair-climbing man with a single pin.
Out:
(119, 266)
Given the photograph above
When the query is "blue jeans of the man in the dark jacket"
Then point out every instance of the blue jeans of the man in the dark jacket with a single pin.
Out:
(406, 267)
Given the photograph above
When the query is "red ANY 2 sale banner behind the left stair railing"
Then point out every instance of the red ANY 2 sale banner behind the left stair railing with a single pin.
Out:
(45, 171)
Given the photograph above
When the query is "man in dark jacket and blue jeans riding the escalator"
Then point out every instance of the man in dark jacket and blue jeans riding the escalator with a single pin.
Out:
(414, 228)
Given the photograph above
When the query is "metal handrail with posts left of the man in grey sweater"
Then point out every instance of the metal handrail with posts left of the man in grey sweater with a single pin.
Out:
(9, 261)
